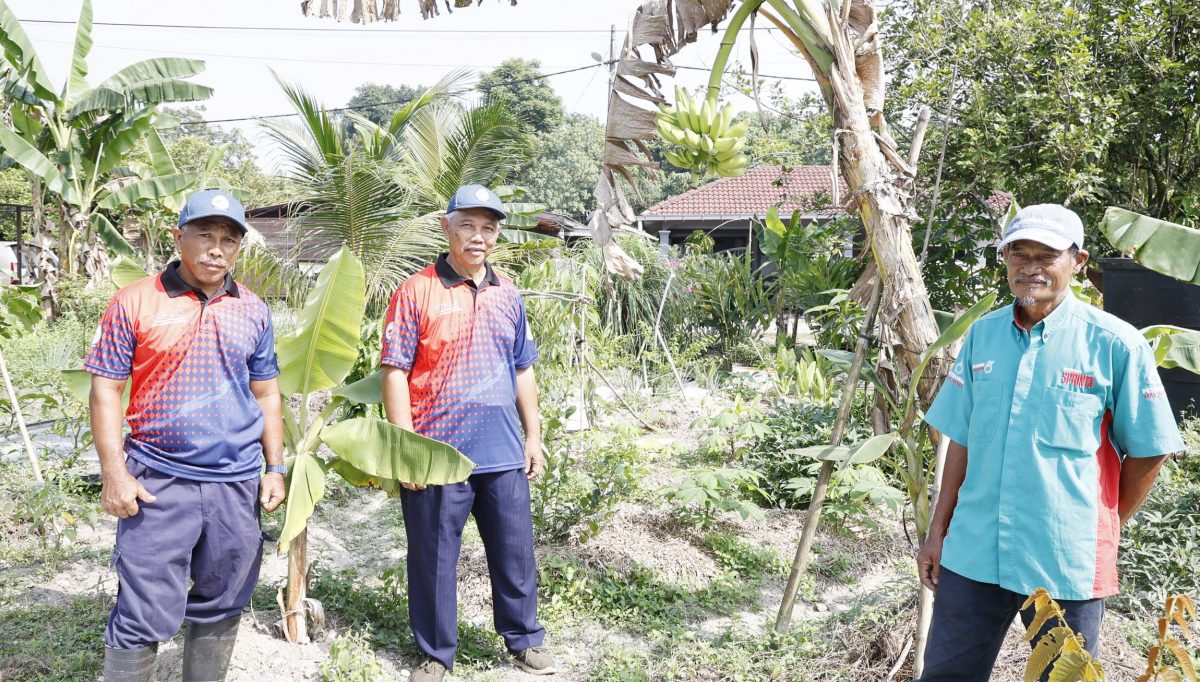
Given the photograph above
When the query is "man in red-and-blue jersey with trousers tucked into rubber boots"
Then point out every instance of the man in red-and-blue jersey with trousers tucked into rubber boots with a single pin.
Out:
(205, 411)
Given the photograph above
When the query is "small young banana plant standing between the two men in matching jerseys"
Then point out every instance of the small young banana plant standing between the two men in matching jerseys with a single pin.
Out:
(367, 452)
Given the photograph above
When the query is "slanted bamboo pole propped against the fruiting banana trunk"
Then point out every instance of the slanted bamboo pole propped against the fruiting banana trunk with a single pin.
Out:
(839, 429)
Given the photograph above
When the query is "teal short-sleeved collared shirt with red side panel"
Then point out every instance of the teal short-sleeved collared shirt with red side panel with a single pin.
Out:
(1047, 417)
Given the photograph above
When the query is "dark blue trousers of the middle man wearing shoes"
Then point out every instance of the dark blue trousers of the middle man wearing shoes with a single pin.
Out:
(434, 523)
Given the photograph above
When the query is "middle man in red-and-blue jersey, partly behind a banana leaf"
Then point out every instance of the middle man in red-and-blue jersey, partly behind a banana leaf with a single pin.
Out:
(458, 366)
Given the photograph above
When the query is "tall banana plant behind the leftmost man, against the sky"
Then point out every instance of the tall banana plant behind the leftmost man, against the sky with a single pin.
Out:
(73, 141)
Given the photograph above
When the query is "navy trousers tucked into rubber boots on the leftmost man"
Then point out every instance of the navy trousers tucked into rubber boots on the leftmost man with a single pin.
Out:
(193, 554)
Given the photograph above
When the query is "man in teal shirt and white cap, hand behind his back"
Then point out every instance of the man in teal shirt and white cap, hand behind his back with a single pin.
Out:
(1059, 426)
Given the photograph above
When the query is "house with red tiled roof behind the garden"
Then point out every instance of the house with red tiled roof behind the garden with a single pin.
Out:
(728, 210)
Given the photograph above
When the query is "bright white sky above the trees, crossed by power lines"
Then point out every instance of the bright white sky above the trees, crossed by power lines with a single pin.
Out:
(249, 39)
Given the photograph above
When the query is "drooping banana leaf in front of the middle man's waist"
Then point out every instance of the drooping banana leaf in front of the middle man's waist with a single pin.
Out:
(387, 452)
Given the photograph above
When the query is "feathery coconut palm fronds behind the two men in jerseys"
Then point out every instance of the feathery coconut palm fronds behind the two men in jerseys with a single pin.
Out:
(379, 190)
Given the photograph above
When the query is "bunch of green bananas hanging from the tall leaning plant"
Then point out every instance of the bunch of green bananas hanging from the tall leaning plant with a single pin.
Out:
(707, 135)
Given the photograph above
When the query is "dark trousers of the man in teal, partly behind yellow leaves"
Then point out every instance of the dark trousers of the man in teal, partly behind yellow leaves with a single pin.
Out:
(970, 623)
